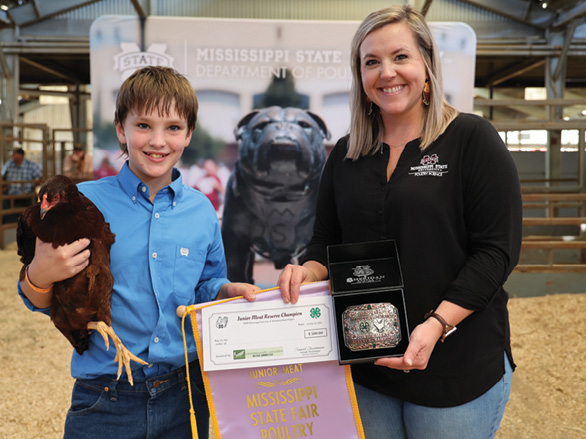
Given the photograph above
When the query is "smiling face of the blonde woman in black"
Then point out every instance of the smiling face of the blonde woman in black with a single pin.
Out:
(393, 71)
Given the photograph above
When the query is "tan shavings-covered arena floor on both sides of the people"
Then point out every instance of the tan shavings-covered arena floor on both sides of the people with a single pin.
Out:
(549, 387)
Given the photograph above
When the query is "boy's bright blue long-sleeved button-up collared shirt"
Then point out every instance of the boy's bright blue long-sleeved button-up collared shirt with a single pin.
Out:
(167, 253)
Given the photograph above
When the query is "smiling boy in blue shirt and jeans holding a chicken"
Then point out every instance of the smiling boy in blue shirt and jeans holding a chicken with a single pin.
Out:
(168, 252)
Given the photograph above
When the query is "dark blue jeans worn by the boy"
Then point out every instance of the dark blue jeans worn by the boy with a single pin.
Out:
(156, 408)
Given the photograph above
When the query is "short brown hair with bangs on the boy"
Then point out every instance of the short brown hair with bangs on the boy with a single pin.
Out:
(156, 88)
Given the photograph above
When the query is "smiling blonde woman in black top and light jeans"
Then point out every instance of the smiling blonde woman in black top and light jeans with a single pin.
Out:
(415, 170)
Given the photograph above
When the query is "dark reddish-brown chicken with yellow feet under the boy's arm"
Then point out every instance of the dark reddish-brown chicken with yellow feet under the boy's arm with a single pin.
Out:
(81, 303)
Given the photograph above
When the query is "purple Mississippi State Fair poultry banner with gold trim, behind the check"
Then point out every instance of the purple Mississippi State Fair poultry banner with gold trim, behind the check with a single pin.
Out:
(309, 400)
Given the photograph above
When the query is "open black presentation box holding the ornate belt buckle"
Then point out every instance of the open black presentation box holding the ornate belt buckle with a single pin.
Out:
(369, 304)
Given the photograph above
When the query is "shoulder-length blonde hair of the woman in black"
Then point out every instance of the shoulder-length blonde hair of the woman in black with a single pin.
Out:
(366, 130)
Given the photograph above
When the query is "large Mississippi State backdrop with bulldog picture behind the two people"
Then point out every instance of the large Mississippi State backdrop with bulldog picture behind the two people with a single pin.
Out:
(273, 100)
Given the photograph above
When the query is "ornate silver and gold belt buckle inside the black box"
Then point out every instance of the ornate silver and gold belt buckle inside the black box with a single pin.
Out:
(371, 326)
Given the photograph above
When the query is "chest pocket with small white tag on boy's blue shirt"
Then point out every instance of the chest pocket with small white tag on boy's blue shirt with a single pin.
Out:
(188, 266)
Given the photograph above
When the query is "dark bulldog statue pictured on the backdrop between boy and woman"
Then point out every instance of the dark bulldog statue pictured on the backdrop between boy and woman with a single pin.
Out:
(271, 195)
